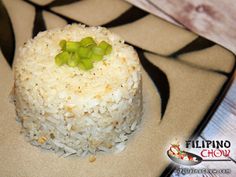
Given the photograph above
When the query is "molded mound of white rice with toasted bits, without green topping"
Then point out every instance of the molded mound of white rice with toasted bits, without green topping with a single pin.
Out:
(72, 111)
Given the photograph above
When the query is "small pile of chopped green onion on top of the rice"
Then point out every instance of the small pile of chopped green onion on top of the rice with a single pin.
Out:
(82, 53)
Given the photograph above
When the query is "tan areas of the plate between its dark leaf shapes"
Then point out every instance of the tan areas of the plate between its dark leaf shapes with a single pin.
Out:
(193, 88)
